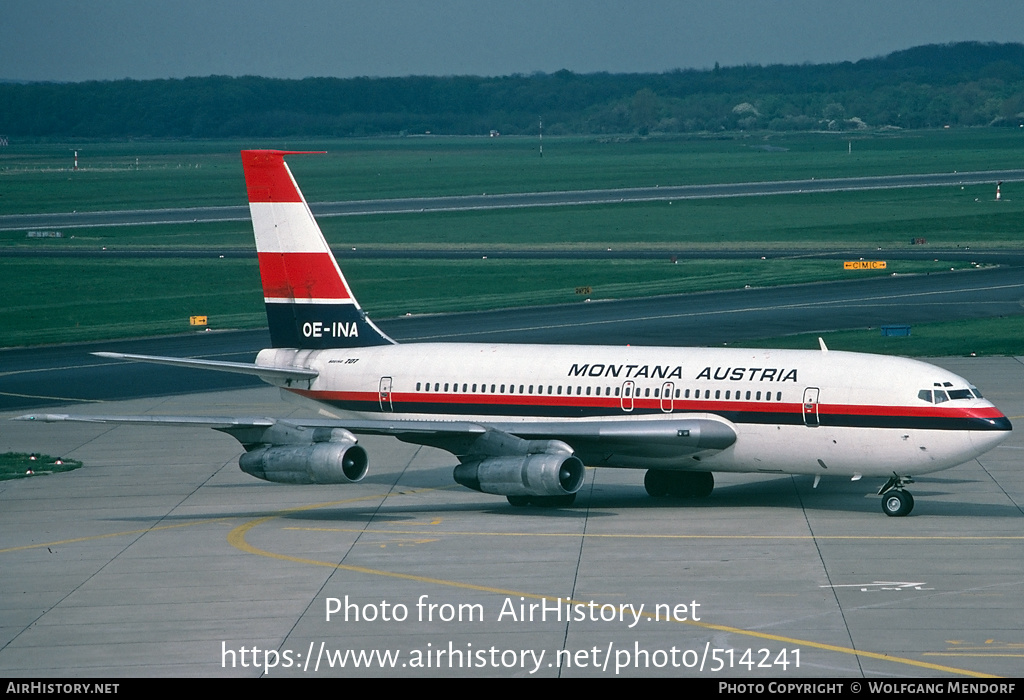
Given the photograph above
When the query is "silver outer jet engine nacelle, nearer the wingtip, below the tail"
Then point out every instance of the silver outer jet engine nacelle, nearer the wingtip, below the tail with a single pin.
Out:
(324, 463)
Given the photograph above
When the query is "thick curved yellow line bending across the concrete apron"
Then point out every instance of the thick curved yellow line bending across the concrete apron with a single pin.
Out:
(237, 538)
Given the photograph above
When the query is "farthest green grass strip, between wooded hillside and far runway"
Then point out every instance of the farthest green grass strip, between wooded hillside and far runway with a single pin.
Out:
(145, 174)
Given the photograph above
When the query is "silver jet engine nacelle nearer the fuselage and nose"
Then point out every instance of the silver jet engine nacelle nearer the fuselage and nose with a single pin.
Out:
(524, 475)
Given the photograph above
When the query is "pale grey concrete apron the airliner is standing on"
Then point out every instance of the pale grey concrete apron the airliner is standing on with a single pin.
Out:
(161, 558)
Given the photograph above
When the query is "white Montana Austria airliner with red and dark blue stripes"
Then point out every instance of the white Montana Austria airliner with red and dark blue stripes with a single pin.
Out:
(524, 420)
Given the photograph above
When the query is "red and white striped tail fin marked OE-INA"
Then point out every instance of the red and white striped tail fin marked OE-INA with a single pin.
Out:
(309, 302)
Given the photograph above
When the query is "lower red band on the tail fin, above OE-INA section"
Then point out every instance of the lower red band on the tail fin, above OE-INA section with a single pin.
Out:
(302, 276)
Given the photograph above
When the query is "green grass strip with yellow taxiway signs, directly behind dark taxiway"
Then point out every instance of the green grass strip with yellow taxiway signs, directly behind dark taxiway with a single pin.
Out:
(89, 299)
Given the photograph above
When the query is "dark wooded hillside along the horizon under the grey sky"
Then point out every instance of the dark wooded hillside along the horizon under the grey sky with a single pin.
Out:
(965, 84)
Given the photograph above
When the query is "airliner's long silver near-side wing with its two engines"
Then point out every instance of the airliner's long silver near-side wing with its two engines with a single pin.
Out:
(540, 460)
